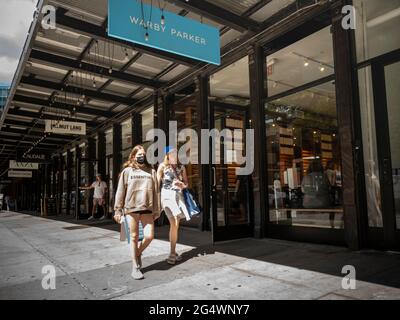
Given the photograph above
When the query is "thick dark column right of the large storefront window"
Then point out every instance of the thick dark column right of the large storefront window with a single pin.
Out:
(349, 126)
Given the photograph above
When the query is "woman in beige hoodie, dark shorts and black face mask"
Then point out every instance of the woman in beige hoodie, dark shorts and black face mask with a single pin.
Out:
(138, 196)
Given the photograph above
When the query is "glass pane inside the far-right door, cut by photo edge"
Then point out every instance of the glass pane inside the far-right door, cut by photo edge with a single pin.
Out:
(392, 75)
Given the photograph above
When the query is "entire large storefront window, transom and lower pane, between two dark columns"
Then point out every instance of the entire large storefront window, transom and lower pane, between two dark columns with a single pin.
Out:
(304, 160)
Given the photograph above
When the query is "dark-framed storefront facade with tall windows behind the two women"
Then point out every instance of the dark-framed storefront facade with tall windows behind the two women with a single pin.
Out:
(323, 102)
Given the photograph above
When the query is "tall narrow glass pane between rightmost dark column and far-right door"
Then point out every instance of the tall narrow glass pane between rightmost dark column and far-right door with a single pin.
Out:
(371, 167)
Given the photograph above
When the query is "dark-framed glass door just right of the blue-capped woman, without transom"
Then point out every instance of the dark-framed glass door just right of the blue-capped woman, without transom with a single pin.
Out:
(231, 198)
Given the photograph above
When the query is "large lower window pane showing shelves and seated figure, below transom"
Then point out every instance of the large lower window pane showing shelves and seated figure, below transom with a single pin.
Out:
(304, 162)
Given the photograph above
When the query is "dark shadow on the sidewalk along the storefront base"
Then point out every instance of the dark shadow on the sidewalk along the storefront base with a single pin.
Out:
(371, 266)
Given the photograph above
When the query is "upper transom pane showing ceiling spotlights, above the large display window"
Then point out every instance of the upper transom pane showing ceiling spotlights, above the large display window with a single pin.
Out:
(305, 61)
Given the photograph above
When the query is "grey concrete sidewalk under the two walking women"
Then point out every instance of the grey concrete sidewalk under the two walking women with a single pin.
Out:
(91, 263)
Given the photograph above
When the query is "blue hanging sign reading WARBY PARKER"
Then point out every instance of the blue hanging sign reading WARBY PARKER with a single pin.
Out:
(179, 35)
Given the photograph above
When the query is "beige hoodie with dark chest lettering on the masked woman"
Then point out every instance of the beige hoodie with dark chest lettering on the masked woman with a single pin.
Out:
(138, 191)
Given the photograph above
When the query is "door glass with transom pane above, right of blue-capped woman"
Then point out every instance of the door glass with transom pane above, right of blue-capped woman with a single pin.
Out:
(230, 105)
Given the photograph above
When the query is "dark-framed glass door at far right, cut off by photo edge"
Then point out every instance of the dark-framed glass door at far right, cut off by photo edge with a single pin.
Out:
(386, 84)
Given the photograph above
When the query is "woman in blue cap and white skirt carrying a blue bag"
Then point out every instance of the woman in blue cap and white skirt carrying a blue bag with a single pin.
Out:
(173, 179)
